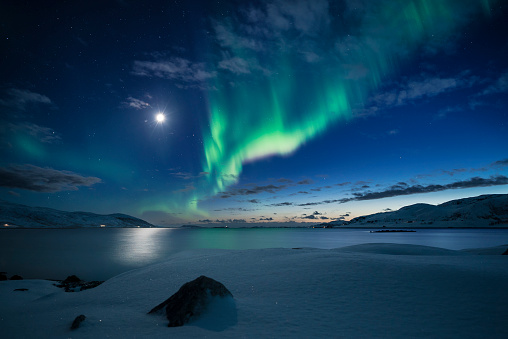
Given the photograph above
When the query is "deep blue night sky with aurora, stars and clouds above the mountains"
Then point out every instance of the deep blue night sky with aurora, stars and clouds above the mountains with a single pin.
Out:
(274, 111)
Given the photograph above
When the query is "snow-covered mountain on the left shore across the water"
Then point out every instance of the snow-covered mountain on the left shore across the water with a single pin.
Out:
(16, 215)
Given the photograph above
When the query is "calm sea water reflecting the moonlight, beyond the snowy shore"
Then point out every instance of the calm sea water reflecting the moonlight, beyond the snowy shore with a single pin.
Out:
(98, 254)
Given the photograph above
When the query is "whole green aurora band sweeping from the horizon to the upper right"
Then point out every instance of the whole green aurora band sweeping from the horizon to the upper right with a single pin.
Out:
(289, 101)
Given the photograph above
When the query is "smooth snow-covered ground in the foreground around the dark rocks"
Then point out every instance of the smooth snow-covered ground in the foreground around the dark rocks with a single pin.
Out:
(362, 291)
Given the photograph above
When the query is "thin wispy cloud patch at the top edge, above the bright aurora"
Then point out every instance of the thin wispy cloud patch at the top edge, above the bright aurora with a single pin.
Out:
(269, 29)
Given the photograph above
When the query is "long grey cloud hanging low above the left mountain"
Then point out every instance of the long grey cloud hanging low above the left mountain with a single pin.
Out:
(38, 179)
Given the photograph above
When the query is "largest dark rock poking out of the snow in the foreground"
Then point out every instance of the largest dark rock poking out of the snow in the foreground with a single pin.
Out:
(191, 300)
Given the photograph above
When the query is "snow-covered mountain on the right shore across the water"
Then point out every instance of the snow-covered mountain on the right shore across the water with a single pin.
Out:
(482, 211)
